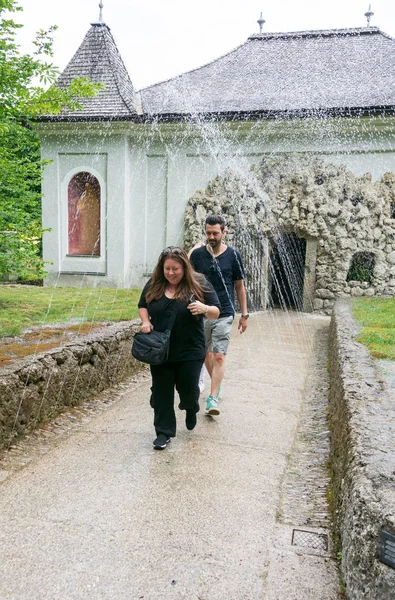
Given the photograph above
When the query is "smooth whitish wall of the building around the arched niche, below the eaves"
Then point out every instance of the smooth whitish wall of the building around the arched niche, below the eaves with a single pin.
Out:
(147, 174)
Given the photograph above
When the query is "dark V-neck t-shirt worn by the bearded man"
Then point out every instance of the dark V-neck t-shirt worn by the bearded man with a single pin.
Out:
(221, 271)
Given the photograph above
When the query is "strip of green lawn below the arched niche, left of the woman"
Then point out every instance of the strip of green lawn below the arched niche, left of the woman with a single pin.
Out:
(23, 307)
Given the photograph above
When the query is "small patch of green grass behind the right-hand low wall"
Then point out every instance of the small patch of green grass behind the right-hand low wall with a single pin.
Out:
(377, 317)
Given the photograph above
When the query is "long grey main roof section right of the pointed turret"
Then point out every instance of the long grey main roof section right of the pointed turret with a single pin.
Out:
(310, 70)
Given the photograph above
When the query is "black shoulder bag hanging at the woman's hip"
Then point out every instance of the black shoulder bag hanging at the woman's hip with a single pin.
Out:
(153, 348)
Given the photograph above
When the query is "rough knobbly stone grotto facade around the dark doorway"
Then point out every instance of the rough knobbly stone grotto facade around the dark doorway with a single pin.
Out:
(343, 218)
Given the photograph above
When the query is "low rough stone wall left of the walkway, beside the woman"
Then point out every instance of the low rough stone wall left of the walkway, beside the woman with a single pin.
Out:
(36, 389)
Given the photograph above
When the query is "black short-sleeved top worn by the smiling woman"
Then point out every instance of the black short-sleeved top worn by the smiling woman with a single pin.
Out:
(187, 341)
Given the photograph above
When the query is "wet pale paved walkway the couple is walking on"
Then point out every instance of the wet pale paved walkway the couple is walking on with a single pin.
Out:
(102, 515)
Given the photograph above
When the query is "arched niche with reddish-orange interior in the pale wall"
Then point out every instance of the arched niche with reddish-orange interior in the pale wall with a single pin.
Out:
(84, 215)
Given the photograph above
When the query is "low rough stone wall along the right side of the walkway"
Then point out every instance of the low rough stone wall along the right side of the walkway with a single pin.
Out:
(362, 422)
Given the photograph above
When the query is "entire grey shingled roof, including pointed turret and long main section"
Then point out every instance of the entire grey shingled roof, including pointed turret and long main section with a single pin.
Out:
(338, 71)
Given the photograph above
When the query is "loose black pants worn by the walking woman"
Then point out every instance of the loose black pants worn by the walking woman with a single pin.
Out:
(184, 376)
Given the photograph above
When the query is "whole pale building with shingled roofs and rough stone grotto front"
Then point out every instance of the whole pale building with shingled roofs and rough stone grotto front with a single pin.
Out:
(124, 168)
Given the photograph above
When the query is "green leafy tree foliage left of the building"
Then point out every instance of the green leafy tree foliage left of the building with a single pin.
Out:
(27, 90)
